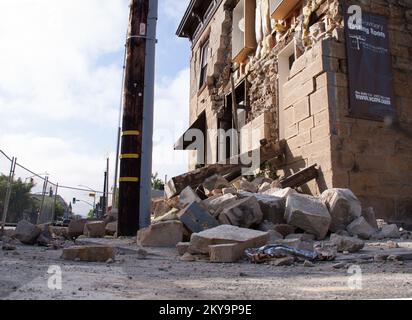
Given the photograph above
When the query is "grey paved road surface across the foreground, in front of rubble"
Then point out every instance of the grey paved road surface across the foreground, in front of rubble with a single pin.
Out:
(24, 275)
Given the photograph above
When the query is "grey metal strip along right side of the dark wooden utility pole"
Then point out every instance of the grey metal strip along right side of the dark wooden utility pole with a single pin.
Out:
(148, 115)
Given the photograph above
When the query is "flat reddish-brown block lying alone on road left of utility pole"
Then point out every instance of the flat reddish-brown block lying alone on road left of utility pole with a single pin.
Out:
(89, 253)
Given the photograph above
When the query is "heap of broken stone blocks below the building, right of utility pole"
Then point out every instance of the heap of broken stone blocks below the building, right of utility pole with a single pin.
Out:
(224, 222)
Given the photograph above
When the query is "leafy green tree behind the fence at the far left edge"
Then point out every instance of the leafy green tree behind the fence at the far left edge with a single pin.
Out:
(20, 199)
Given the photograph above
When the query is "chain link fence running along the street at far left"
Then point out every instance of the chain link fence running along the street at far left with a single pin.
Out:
(26, 195)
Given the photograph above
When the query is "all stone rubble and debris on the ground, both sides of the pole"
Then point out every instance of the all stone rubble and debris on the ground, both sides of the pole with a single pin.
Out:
(219, 221)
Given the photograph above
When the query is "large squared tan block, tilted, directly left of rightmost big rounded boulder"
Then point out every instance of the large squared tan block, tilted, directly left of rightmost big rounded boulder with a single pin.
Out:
(309, 214)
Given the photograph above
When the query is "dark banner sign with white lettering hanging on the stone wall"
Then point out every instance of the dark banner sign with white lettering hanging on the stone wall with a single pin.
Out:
(369, 66)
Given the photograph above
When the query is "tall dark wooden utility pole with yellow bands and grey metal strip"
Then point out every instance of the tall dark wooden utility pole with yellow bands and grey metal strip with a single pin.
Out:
(135, 157)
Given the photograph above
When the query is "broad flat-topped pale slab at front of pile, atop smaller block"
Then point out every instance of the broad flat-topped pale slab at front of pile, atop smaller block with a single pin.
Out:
(227, 234)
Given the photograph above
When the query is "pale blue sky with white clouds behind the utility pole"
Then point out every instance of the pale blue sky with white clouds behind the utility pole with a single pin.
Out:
(60, 87)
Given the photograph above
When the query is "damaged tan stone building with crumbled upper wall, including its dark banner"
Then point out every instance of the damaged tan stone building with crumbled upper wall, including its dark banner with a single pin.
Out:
(296, 79)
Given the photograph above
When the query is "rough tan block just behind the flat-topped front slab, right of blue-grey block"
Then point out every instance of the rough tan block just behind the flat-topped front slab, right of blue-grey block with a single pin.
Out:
(242, 213)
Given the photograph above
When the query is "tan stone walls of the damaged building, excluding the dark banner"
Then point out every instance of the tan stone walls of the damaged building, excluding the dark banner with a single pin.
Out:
(305, 100)
